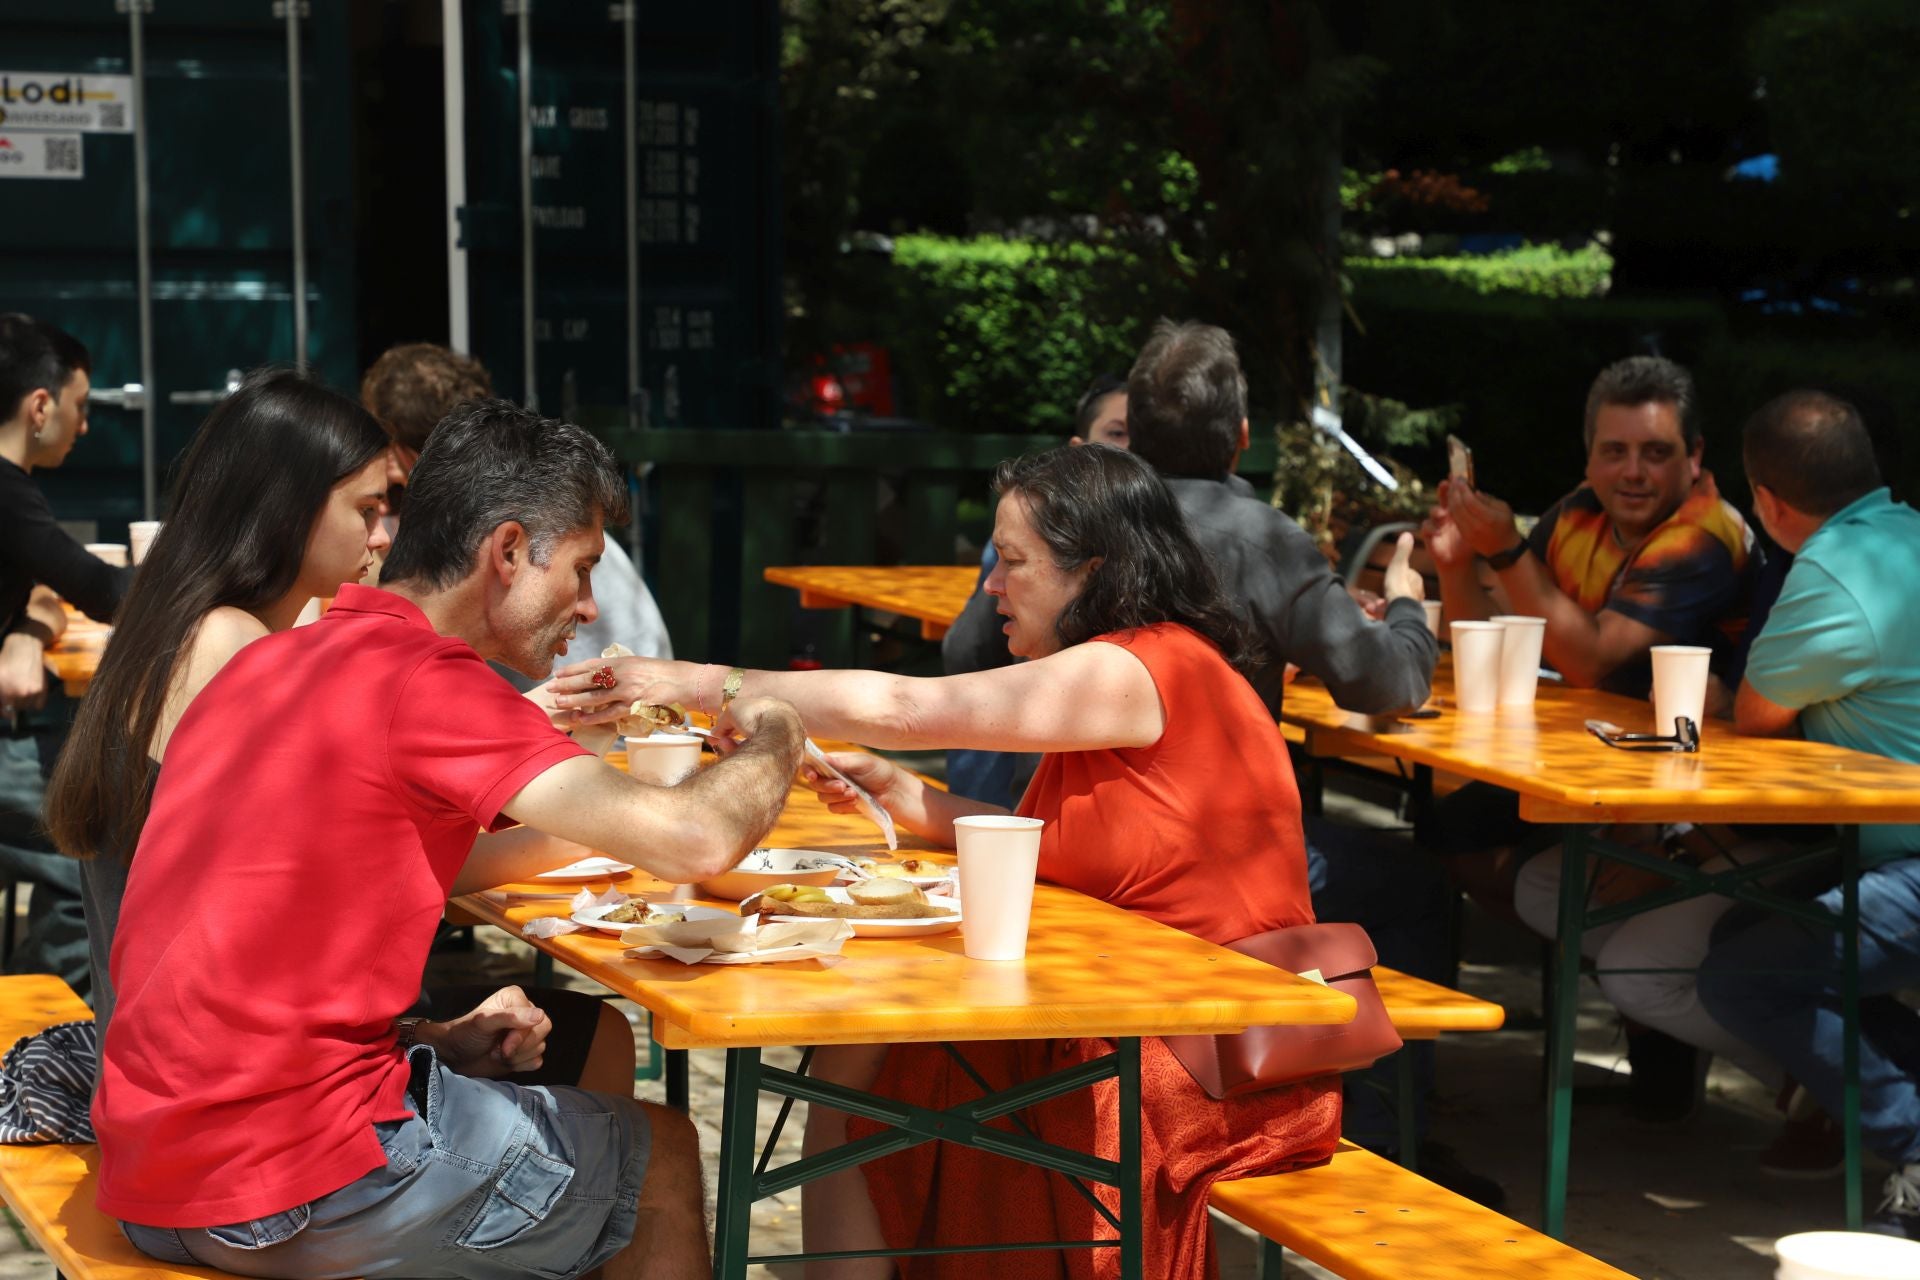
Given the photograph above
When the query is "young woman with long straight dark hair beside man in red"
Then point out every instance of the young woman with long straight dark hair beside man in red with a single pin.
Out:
(277, 500)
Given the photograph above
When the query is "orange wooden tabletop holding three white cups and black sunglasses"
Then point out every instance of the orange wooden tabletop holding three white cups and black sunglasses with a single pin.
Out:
(1568, 776)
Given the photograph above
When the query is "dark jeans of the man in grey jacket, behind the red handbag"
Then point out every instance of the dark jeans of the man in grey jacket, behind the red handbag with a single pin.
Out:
(1399, 895)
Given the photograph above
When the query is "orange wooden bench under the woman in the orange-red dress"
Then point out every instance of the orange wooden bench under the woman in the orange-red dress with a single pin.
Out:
(1370, 1220)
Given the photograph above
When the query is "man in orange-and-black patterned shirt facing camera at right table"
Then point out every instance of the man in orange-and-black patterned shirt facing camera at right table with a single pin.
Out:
(1644, 554)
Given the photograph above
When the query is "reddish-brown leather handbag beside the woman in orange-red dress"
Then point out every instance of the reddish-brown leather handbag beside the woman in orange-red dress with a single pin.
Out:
(1270, 1056)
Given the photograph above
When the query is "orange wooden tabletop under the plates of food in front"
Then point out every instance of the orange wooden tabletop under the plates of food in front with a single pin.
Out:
(1092, 970)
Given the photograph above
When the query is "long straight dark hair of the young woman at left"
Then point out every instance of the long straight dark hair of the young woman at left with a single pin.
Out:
(245, 500)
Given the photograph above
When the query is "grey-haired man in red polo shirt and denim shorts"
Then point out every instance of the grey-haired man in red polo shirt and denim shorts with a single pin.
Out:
(260, 1108)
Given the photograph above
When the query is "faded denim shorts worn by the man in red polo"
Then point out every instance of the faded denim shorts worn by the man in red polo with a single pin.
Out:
(487, 1181)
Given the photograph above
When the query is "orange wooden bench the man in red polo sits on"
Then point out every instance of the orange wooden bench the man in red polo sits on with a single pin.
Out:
(51, 1189)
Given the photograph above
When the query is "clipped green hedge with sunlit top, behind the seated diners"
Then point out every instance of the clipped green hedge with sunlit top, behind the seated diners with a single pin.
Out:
(1001, 337)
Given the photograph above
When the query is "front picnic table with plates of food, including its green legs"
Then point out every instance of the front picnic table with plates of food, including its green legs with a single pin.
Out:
(1092, 970)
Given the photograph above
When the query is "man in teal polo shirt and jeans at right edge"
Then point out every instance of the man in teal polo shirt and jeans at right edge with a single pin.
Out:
(1836, 663)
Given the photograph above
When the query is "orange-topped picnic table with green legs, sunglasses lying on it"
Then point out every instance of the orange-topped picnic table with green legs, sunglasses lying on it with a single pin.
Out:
(1566, 776)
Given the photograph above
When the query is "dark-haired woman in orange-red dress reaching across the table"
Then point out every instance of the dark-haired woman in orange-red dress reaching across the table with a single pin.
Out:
(1166, 790)
